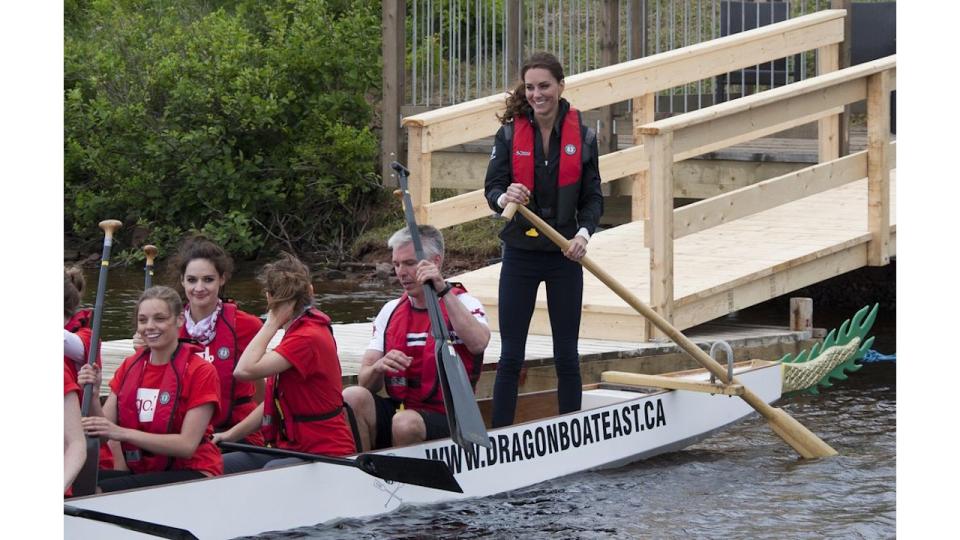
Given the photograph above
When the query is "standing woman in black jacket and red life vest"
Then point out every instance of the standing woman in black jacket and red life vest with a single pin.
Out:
(544, 157)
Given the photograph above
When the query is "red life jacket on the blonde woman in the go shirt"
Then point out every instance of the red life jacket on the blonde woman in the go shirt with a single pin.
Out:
(164, 414)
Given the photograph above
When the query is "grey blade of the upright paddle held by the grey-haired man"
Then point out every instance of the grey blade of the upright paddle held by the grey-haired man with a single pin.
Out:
(463, 414)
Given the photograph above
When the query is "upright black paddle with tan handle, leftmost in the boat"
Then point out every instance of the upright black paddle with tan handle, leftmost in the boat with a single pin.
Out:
(86, 482)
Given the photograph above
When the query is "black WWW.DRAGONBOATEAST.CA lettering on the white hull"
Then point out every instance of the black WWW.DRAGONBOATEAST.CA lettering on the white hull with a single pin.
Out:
(559, 436)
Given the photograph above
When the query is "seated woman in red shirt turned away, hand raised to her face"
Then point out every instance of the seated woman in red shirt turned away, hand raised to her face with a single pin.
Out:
(303, 409)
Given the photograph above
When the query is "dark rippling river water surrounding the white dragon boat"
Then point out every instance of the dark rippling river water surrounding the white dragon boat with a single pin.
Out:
(742, 483)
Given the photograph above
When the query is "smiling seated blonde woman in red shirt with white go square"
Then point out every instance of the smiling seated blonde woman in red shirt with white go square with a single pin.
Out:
(162, 401)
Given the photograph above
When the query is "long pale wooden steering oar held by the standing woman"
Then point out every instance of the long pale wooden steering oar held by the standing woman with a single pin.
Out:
(788, 428)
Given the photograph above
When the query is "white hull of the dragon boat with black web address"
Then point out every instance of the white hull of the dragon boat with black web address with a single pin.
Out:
(614, 428)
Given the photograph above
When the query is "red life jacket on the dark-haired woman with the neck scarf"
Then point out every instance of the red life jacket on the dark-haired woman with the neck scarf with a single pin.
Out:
(223, 352)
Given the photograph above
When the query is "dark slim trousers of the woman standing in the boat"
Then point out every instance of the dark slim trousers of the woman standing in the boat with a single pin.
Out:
(520, 276)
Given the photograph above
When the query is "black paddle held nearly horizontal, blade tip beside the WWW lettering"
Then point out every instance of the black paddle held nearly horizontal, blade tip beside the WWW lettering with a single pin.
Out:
(420, 472)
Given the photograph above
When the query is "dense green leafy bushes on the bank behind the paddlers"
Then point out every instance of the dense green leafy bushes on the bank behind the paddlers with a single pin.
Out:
(248, 120)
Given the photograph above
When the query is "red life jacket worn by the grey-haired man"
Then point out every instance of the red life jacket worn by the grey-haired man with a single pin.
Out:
(408, 331)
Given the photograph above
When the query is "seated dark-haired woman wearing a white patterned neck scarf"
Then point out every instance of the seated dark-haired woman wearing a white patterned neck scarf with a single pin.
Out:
(224, 331)
